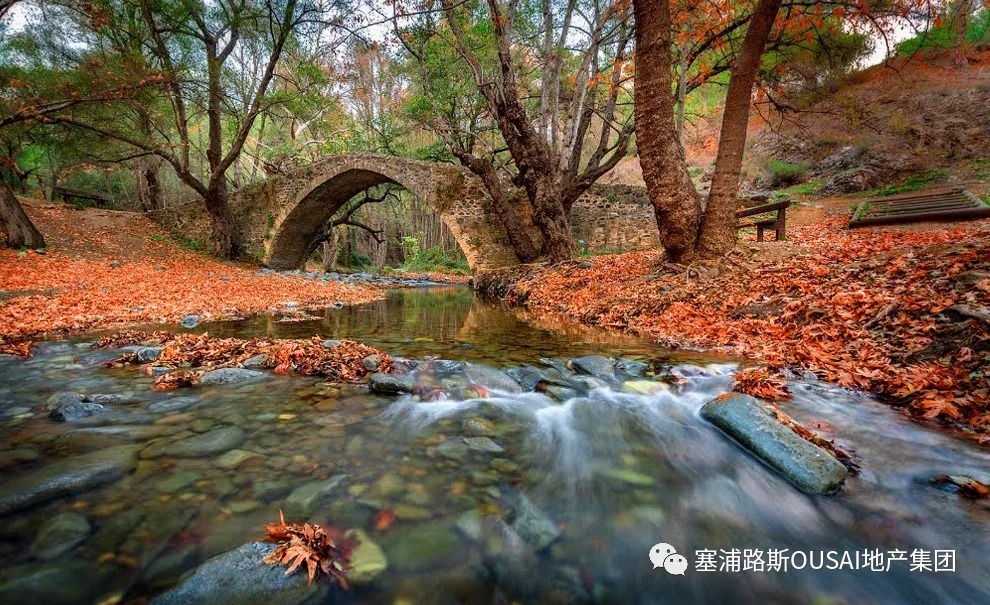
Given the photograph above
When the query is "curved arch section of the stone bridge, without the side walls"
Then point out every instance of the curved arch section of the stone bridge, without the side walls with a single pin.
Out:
(311, 196)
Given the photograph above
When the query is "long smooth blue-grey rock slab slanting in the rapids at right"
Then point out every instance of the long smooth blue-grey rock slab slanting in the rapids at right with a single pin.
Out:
(747, 420)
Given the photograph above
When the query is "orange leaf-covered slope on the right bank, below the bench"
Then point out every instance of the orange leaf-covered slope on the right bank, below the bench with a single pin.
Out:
(899, 312)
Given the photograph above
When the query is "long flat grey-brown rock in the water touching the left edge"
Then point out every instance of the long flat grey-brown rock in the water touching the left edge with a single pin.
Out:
(66, 477)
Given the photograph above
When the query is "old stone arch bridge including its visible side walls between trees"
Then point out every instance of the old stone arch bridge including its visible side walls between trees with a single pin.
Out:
(279, 218)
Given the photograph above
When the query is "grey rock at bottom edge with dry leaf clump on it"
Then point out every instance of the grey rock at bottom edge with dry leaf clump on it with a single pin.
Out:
(241, 577)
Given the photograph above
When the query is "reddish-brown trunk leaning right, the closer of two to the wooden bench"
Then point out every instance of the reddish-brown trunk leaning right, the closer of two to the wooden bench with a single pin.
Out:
(718, 233)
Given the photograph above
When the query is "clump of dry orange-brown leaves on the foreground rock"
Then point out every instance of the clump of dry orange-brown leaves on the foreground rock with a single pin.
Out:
(321, 549)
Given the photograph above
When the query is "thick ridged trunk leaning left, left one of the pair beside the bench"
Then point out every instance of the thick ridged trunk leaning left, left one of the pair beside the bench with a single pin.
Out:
(674, 197)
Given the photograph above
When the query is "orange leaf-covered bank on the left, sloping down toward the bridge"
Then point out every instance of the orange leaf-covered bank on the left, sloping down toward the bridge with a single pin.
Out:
(108, 269)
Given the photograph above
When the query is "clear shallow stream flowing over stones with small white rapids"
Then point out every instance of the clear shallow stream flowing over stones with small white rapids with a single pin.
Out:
(517, 497)
